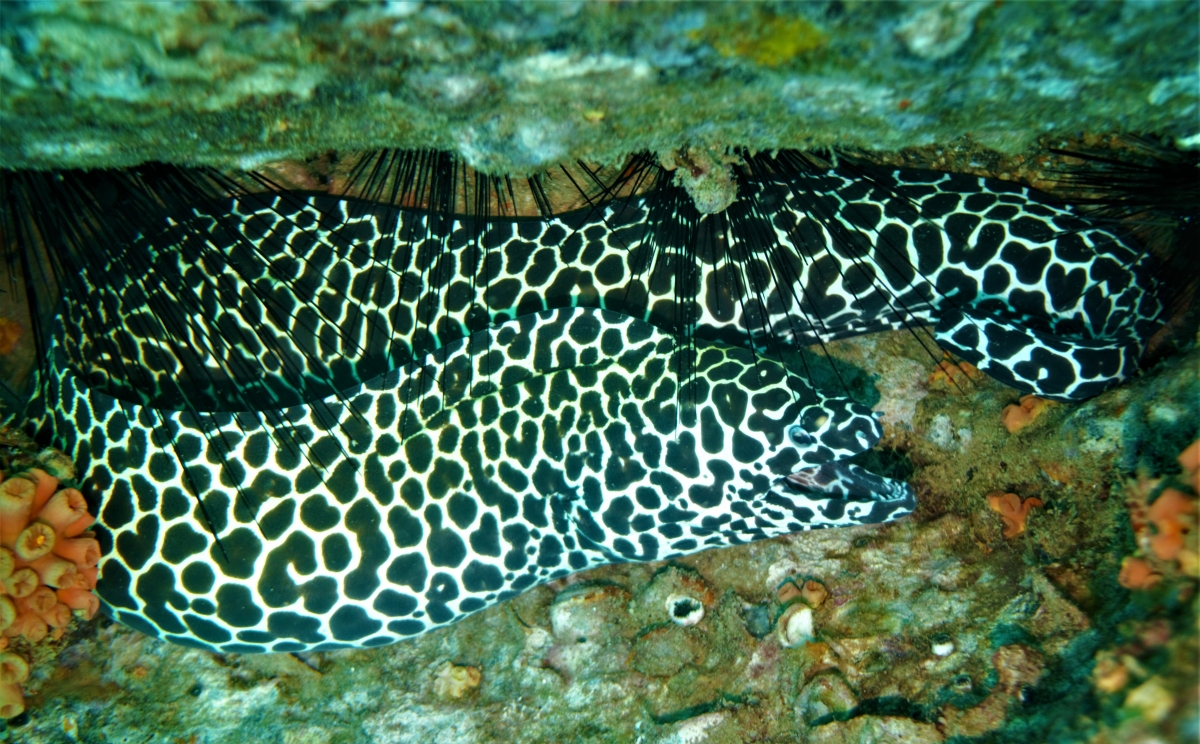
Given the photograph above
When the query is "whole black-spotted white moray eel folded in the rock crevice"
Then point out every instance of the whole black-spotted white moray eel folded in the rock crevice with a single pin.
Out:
(319, 423)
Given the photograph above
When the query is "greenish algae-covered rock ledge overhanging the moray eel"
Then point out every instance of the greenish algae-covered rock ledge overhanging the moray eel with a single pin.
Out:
(517, 87)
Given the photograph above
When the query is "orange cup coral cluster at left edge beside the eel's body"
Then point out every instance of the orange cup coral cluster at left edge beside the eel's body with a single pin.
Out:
(47, 566)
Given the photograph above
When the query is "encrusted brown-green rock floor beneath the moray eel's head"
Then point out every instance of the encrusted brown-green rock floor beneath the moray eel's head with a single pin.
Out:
(977, 617)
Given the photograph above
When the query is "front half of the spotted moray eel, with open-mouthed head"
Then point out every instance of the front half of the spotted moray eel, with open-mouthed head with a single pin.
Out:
(547, 446)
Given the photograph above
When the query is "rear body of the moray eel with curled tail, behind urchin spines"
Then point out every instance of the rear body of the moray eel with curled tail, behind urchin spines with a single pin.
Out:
(284, 299)
